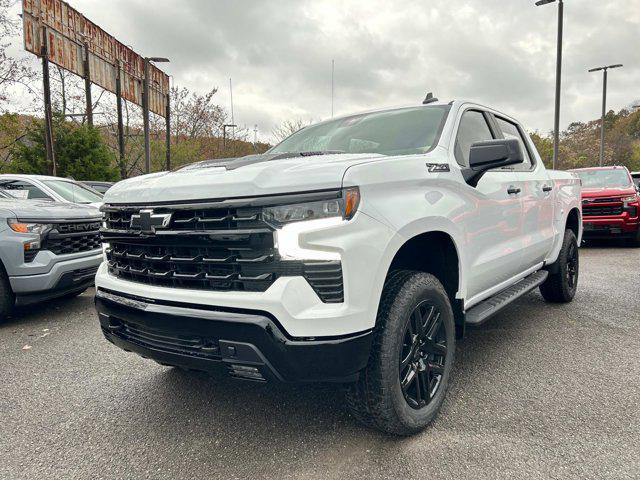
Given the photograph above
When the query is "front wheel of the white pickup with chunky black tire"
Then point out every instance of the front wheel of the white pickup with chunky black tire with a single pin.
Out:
(404, 384)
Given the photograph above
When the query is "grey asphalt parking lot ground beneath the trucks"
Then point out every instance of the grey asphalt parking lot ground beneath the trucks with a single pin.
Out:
(540, 391)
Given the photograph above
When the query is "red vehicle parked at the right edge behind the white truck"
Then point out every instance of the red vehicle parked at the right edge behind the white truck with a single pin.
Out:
(610, 203)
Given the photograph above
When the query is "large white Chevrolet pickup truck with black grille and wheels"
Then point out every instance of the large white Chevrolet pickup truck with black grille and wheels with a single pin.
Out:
(356, 251)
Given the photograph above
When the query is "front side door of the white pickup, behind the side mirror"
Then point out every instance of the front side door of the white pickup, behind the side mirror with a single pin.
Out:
(493, 219)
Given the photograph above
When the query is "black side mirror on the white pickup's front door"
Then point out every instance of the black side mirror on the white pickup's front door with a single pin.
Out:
(490, 154)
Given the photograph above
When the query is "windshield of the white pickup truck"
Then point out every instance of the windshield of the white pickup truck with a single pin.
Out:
(404, 131)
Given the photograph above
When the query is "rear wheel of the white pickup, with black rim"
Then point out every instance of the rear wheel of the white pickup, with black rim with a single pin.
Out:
(562, 282)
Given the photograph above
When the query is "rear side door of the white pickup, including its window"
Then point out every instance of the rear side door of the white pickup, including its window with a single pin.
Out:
(536, 195)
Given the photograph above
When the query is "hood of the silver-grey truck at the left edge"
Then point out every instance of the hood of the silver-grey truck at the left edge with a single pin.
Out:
(49, 211)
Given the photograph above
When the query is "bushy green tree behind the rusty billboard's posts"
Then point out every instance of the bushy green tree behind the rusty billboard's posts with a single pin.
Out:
(80, 152)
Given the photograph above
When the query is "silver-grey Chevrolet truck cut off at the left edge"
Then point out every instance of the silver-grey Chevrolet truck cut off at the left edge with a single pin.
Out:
(47, 250)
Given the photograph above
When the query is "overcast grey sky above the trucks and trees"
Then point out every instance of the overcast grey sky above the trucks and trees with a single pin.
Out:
(387, 52)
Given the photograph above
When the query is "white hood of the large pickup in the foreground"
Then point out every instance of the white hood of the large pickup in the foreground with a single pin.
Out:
(253, 175)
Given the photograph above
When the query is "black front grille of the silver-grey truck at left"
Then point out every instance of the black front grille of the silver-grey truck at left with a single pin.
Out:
(67, 238)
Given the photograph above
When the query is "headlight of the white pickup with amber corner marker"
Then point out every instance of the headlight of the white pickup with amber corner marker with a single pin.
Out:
(344, 207)
